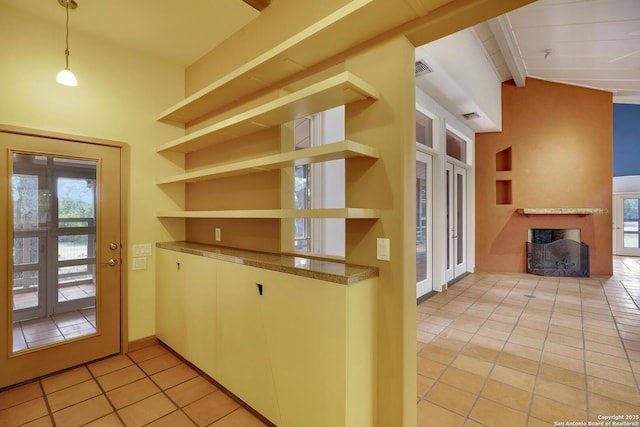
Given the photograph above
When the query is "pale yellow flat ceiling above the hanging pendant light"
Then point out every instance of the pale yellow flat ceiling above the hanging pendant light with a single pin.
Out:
(176, 31)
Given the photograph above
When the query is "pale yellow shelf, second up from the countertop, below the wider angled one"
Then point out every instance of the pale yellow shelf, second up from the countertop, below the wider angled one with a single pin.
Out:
(323, 153)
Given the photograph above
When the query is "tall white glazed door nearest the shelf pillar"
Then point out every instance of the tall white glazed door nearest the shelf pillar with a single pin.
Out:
(424, 210)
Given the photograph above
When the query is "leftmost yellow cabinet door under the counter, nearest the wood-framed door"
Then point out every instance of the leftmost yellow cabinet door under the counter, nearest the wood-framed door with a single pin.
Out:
(186, 306)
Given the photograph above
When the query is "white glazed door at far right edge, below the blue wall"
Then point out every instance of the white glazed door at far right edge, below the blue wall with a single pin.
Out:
(627, 224)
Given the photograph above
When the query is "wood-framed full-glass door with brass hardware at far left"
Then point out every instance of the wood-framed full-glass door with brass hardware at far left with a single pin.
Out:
(62, 256)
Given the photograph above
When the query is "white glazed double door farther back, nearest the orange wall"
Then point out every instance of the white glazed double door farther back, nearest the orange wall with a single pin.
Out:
(456, 221)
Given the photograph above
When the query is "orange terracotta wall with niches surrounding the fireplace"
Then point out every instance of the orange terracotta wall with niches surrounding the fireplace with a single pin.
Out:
(561, 151)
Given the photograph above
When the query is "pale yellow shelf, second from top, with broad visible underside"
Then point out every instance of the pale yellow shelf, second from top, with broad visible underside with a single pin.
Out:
(340, 89)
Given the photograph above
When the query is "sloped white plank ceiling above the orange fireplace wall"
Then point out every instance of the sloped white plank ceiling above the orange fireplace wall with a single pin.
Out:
(592, 43)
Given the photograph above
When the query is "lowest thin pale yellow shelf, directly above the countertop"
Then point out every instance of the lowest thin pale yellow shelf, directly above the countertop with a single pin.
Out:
(350, 213)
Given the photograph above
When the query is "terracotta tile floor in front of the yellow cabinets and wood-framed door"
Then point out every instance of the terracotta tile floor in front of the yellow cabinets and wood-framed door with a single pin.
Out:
(148, 387)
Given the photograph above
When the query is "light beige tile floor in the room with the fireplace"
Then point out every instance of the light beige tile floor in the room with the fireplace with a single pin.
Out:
(522, 350)
